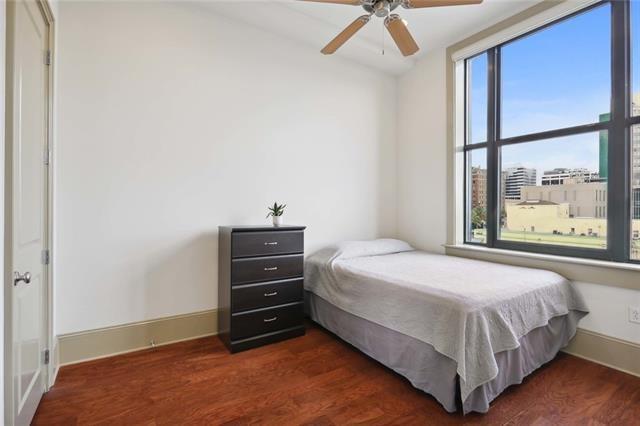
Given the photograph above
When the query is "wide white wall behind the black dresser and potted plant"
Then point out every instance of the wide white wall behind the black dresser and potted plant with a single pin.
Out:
(172, 121)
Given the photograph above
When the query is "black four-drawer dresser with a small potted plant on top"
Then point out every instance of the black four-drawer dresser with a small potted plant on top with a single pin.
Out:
(260, 285)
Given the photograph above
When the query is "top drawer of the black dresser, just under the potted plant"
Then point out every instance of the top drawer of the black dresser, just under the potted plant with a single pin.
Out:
(245, 244)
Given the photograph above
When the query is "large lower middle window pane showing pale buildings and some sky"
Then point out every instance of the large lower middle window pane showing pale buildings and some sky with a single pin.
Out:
(522, 167)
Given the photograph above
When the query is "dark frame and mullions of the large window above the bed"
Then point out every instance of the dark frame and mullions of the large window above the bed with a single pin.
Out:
(619, 128)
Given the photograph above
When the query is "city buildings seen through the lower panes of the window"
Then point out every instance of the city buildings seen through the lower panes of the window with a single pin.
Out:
(562, 206)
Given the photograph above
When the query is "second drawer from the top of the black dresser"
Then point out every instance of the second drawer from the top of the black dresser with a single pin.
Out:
(244, 271)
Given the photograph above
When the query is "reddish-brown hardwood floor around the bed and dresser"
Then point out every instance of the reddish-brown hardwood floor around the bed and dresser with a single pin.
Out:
(315, 379)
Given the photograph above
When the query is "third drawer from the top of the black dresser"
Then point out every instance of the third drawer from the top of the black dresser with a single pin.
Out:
(256, 296)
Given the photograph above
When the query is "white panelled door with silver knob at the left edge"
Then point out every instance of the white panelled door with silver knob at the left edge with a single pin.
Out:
(28, 76)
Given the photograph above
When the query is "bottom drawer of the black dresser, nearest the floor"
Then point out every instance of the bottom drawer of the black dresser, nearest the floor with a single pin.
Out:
(266, 321)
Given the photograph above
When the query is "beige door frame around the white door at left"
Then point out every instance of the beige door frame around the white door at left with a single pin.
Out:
(49, 370)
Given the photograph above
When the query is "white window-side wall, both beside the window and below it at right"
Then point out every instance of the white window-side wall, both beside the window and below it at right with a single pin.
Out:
(422, 191)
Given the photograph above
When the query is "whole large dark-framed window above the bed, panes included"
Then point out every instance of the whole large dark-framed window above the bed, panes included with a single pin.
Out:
(552, 141)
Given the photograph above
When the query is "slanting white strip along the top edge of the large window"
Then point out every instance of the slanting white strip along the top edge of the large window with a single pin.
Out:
(563, 9)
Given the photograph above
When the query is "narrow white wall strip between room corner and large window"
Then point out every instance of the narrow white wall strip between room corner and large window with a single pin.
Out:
(422, 154)
